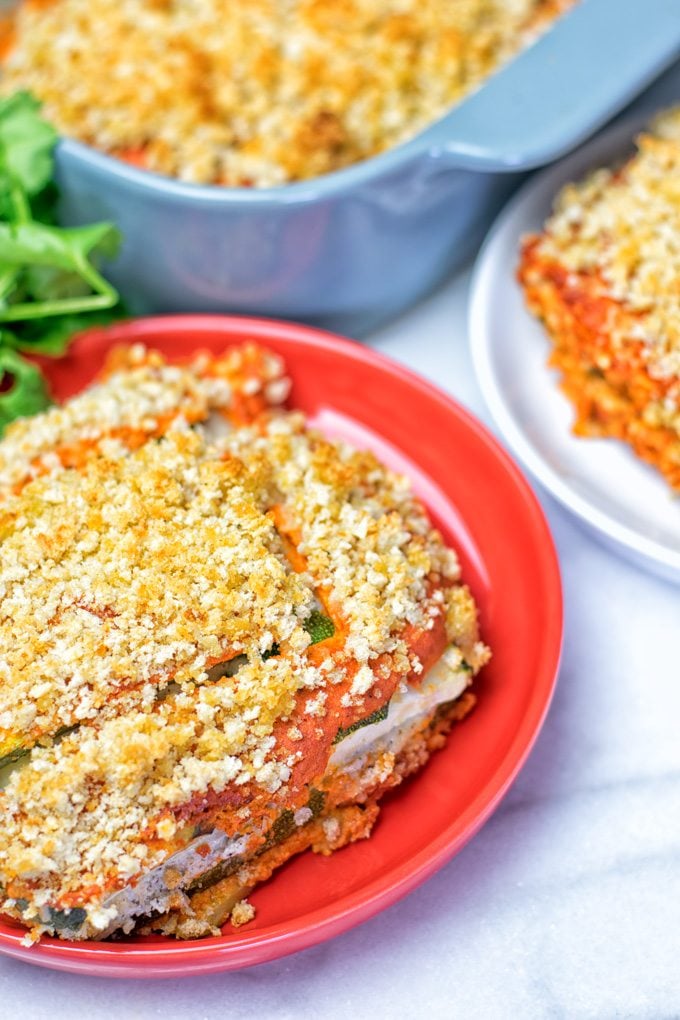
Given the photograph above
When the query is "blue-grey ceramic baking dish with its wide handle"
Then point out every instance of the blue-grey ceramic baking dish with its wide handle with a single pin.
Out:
(353, 248)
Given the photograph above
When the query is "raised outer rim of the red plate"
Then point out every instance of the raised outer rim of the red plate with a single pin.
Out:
(167, 958)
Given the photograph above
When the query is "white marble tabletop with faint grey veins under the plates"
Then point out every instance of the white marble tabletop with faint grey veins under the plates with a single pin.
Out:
(567, 904)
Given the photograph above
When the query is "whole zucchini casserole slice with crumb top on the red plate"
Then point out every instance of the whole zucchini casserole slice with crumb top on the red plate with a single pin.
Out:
(223, 639)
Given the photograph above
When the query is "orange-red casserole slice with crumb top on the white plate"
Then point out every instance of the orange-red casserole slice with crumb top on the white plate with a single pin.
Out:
(605, 279)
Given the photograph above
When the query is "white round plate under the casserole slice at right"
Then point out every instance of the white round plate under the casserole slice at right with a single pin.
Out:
(626, 503)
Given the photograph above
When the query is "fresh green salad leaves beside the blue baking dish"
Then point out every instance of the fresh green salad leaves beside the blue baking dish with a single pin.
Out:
(50, 287)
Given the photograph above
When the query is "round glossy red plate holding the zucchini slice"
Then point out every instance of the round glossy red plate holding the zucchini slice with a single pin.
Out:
(489, 514)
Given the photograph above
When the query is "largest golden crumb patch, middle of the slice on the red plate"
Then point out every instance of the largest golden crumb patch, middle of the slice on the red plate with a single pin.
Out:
(141, 571)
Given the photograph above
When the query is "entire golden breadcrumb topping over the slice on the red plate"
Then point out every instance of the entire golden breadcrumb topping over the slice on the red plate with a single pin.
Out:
(155, 651)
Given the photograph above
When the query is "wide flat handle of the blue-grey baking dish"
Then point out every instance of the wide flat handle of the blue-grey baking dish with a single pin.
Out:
(562, 89)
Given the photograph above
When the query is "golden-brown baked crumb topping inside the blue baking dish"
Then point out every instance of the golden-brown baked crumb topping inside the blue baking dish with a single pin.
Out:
(258, 92)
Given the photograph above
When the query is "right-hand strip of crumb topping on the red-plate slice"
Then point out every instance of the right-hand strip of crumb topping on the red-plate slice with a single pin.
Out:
(367, 542)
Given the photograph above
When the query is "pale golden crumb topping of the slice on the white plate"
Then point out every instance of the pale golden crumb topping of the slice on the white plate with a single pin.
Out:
(623, 224)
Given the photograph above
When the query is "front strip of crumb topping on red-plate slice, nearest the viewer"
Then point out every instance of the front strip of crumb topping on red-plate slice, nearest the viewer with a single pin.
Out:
(93, 810)
